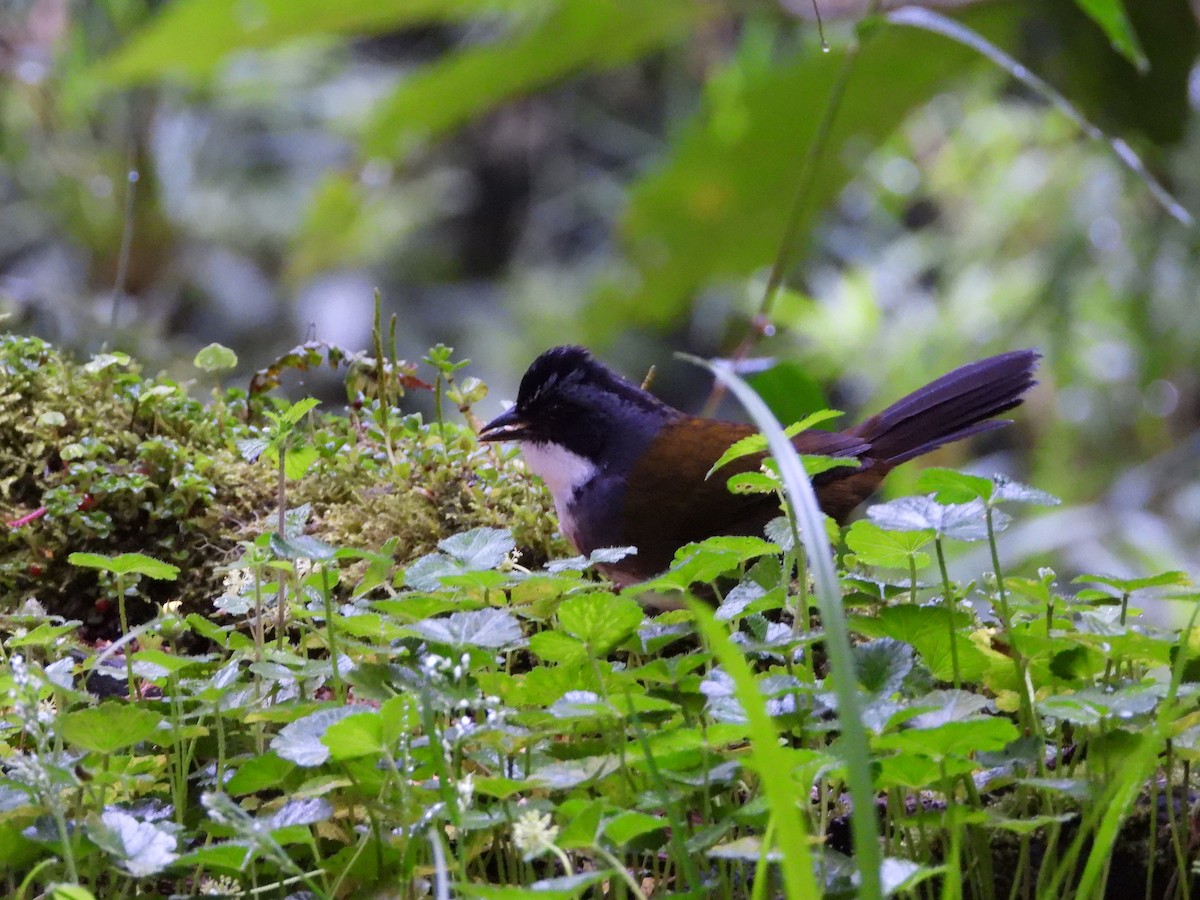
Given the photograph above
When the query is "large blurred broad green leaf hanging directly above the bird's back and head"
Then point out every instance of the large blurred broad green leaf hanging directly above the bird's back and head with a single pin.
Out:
(705, 214)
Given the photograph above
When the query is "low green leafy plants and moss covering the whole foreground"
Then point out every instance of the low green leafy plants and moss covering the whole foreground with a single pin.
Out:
(314, 707)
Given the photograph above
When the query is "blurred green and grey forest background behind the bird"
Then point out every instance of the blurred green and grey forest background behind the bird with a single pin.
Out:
(513, 175)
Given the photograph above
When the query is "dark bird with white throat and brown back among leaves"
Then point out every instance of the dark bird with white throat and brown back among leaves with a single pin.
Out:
(627, 470)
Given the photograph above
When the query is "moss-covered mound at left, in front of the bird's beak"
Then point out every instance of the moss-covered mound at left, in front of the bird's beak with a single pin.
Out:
(95, 458)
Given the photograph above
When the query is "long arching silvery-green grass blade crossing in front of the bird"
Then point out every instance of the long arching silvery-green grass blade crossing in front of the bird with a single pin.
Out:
(807, 513)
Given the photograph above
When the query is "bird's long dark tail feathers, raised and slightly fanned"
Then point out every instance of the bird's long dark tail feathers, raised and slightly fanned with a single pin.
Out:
(956, 406)
